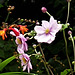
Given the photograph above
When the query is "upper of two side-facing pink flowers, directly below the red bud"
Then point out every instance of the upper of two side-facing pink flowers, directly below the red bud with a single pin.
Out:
(21, 42)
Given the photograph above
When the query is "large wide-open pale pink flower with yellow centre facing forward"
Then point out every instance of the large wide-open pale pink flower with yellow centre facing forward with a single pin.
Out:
(46, 33)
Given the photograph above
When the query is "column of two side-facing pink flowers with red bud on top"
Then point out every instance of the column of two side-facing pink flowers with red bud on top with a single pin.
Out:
(22, 47)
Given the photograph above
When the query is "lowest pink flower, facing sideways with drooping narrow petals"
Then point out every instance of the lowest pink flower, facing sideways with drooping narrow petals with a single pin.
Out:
(25, 62)
